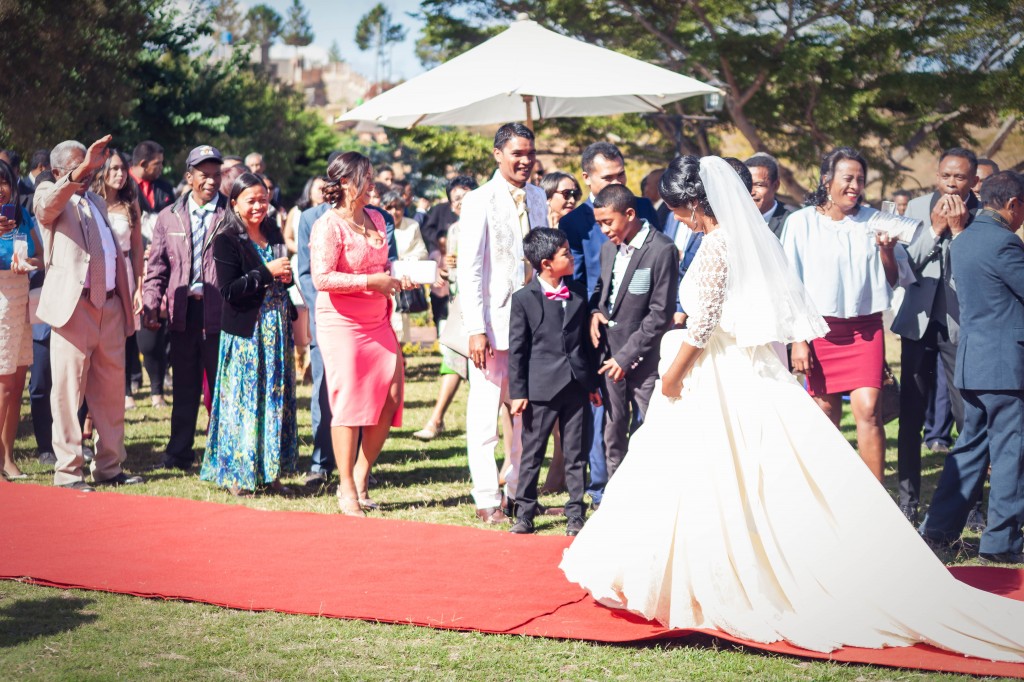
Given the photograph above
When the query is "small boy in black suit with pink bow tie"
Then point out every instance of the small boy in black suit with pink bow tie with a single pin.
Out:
(552, 373)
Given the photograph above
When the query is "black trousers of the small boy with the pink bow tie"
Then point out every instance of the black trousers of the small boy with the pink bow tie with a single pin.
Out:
(572, 408)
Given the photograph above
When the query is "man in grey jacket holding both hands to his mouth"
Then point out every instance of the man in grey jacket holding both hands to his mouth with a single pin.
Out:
(929, 318)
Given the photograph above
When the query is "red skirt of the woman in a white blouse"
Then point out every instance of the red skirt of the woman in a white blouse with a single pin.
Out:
(849, 357)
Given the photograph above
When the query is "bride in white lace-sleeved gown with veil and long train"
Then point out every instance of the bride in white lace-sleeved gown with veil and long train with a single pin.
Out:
(741, 507)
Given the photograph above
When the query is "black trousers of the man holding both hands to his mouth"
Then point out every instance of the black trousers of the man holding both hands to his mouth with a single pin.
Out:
(918, 381)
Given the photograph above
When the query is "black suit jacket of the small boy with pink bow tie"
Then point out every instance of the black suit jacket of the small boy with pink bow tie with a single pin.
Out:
(549, 347)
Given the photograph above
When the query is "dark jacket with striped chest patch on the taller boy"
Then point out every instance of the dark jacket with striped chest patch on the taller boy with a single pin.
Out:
(646, 301)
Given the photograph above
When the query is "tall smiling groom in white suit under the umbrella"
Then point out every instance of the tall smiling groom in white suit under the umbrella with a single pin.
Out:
(495, 219)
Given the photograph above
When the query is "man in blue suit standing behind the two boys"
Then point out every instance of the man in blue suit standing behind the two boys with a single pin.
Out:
(603, 165)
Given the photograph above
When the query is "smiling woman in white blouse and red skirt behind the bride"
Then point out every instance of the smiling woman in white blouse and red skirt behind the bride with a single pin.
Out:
(850, 273)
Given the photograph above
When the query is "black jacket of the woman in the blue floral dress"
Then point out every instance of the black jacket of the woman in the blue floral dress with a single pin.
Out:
(244, 281)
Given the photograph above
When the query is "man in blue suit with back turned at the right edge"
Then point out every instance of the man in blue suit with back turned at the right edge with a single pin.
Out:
(989, 274)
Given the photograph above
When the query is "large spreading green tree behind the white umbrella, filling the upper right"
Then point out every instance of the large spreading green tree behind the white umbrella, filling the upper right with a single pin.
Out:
(804, 76)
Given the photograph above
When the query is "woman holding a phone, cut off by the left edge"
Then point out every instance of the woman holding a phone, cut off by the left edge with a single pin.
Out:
(19, 246)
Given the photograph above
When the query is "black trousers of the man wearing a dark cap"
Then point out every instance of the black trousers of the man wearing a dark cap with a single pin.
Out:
(193, 353)
